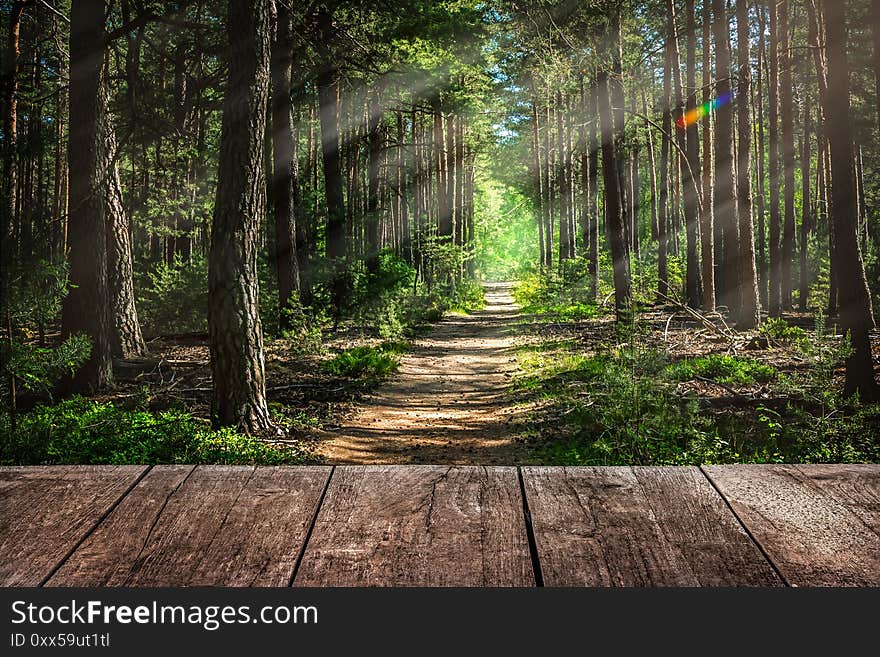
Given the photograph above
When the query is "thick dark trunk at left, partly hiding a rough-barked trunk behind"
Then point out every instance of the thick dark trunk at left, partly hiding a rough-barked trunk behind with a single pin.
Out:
(86, 309)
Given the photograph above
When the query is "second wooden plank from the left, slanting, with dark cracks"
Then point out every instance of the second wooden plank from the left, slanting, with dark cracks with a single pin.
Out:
(208, 526)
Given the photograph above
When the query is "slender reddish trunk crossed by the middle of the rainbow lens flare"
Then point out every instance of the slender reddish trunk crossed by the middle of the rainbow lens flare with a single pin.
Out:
(707, 216)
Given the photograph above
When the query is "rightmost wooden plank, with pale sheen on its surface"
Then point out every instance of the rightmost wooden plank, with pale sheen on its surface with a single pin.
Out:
(813, 538)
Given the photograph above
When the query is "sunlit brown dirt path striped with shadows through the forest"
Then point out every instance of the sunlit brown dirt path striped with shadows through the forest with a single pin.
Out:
(448, 402)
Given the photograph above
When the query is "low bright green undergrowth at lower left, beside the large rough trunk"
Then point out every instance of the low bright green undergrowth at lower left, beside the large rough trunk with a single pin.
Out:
(80, 430)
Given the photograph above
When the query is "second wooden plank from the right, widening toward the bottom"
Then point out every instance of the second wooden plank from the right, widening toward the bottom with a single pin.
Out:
(619, 526)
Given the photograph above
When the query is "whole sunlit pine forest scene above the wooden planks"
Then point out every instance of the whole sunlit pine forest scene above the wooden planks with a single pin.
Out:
(589, 232)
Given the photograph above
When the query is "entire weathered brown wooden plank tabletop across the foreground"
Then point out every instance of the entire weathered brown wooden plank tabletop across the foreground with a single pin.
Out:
(179, 525)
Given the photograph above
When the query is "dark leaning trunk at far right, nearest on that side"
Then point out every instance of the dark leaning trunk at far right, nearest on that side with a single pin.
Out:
(856, 315)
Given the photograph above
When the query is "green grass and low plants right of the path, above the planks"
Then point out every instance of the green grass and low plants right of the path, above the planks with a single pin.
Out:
(621, 406)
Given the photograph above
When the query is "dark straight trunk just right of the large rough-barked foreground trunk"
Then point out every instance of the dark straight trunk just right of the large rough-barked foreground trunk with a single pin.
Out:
(285, 167)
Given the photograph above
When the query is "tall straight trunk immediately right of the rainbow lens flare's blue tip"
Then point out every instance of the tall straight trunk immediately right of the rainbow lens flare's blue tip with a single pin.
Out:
(748, 313)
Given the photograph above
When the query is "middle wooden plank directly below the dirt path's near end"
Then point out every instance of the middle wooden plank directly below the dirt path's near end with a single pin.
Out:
(419, 526)
